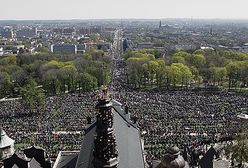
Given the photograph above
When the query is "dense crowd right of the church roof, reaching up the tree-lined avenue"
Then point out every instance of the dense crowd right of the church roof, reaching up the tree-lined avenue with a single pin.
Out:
(188, 119)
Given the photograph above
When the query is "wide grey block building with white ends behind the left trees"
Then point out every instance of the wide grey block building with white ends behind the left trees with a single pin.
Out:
(64, 48)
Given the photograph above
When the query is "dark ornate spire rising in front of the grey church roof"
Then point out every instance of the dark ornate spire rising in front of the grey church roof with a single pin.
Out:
(105, 151)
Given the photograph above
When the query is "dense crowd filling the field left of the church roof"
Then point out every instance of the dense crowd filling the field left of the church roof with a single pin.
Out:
(59, 127)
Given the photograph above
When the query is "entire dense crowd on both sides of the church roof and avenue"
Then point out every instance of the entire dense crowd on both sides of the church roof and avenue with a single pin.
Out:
(182, 118)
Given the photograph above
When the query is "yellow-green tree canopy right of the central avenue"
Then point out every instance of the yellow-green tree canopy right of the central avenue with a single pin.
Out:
(210, 67)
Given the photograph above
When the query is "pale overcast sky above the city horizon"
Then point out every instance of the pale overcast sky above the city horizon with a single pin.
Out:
(101, 9)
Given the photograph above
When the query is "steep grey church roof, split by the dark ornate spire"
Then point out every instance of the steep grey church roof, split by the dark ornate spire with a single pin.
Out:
(129, 146)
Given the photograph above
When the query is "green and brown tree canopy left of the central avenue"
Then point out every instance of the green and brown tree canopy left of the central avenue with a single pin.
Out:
(56, 73)
